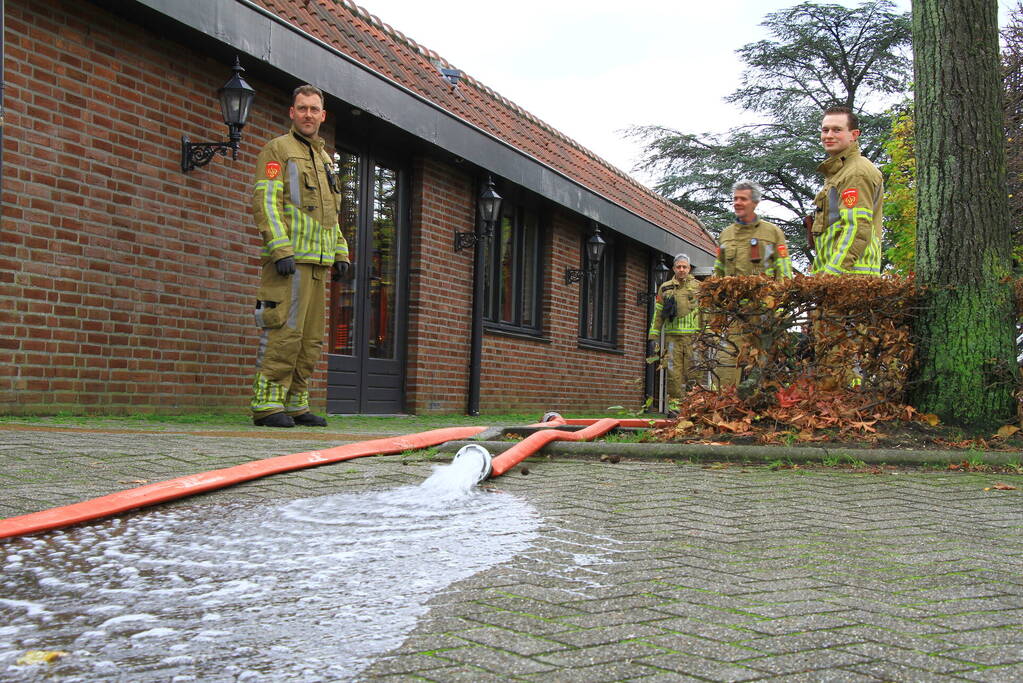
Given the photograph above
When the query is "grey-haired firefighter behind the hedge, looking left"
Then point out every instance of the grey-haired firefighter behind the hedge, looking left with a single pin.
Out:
(748, 247)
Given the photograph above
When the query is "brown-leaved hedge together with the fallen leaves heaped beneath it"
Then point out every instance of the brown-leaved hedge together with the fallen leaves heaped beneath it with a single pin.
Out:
(822, 357)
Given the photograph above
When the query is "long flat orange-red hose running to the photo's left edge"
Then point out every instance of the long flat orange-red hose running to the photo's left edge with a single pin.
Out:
(219, 479)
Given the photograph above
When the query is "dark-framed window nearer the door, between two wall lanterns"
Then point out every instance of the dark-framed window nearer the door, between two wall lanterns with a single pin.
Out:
(513, 272)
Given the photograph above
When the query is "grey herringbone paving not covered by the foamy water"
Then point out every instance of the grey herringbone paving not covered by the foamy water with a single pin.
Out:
(658, 572)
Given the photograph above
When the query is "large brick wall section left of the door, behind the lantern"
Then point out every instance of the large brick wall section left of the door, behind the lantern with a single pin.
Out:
(125, 285)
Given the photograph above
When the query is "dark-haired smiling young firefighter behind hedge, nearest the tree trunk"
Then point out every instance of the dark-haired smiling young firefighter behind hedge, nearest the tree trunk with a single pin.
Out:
(847, 224)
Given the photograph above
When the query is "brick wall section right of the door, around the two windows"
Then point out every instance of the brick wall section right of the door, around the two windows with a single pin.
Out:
(520, 376)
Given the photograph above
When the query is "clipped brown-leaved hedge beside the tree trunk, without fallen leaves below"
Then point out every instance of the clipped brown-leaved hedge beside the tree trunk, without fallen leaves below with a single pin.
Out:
(829, 333)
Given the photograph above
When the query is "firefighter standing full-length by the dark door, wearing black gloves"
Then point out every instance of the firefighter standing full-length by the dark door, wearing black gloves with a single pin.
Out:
(296, 202)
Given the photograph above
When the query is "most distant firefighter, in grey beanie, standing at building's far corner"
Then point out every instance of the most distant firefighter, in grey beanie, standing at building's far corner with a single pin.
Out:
(677, 324)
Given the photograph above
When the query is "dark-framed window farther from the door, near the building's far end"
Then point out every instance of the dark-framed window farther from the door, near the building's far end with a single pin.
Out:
(599, 299)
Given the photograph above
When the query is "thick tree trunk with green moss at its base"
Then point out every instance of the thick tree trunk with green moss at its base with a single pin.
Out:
(967, 368)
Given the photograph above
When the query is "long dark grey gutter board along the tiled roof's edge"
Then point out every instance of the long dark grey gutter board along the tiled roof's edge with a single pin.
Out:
(252, 30)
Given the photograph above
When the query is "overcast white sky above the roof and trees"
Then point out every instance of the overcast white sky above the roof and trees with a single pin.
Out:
(595, 68)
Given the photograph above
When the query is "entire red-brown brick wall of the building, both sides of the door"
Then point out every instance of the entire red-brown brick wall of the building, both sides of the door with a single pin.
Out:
(127, 286)
